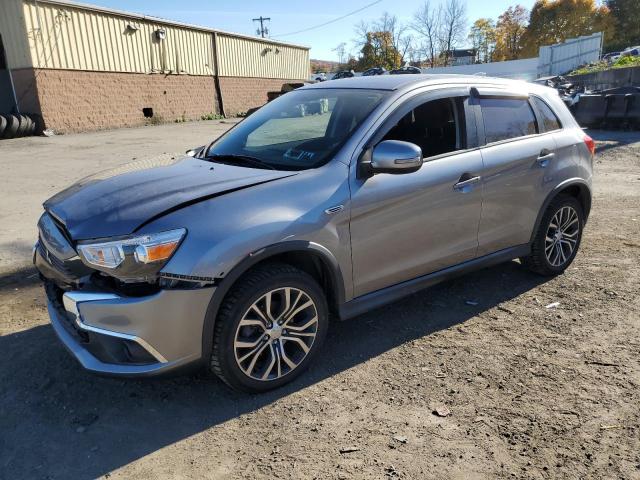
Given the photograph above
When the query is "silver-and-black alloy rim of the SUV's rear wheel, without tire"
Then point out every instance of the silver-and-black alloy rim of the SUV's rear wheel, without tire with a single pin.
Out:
(562, 236)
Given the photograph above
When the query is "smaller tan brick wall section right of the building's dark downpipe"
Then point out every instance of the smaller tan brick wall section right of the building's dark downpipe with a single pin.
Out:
(240, 93)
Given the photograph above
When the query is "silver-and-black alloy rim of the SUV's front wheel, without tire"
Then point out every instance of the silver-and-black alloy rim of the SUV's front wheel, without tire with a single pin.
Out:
(276, 334)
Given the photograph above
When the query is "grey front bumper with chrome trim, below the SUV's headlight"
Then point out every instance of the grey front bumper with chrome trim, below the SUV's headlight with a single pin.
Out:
(130, 336)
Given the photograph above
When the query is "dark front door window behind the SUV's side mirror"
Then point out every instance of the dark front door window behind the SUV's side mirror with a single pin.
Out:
(436, 127)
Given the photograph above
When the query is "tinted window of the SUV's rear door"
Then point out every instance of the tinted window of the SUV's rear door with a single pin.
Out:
(506, 118)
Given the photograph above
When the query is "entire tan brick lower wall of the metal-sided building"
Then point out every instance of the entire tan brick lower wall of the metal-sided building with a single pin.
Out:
(77, 101)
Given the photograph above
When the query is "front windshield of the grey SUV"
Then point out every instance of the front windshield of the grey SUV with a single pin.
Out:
(302, 129)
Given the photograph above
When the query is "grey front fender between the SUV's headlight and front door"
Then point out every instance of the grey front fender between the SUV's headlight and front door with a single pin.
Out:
(223, 231)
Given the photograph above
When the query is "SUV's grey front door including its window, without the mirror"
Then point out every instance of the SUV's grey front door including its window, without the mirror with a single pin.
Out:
(405, 226)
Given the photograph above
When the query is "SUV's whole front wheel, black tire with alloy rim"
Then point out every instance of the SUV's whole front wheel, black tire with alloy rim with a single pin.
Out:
(269, 329)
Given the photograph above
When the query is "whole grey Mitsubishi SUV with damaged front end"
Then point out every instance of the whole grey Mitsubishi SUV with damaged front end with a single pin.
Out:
(332, 200)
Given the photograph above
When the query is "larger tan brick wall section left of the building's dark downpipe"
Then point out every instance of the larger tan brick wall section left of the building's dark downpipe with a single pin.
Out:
(74, 101)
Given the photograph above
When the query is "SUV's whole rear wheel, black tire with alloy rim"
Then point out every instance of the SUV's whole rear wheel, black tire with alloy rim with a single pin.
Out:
(558, 237)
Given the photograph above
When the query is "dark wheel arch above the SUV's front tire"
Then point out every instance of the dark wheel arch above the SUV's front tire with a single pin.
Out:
(310, 257)
